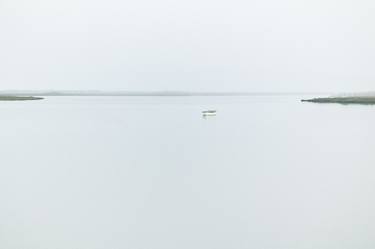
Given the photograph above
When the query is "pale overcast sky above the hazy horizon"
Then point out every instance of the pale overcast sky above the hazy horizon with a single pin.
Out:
(194, 45)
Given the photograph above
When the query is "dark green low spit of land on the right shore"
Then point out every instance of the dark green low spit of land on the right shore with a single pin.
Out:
(362, 100)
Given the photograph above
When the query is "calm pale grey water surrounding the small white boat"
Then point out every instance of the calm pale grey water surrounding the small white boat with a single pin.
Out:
(267, 172)
